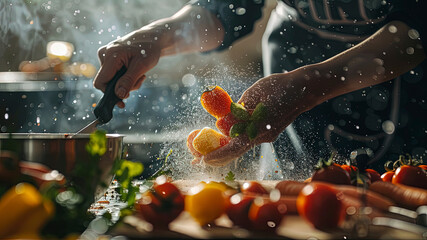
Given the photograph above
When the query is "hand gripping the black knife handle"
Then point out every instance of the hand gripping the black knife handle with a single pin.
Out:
(138, 51)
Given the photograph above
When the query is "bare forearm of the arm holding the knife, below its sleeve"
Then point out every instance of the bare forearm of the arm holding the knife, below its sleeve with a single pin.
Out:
(192, 29)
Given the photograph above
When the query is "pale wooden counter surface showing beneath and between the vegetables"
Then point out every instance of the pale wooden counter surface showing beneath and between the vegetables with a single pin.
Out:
(291, 227)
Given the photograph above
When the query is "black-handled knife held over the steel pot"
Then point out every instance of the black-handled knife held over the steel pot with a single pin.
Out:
(104, 109)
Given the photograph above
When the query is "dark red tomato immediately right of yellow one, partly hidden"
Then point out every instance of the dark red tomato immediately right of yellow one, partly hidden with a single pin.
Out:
(238, 209)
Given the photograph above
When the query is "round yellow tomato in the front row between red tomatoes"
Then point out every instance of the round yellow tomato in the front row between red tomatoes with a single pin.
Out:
(206, 202)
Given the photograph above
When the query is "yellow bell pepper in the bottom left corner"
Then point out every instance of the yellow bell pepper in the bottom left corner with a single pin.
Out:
(24, 212)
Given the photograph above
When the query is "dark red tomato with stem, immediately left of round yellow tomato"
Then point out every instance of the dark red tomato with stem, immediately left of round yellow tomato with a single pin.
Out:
(161, 205)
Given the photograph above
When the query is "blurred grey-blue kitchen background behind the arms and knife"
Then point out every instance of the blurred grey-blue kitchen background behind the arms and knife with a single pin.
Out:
(61, 98)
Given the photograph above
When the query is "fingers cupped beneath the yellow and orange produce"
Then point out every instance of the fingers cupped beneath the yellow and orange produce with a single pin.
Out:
(234, 149)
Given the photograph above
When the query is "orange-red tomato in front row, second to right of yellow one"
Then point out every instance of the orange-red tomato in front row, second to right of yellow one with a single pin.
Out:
(266, 215)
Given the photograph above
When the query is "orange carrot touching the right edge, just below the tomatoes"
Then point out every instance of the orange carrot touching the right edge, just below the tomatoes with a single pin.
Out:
(409, 197)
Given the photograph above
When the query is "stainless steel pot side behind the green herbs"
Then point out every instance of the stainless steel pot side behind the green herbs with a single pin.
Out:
(61, 153)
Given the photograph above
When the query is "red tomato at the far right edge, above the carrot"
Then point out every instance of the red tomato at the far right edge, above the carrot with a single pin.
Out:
(411, 176)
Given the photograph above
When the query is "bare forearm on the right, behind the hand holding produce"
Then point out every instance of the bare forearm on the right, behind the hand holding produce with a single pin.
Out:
(390, 52)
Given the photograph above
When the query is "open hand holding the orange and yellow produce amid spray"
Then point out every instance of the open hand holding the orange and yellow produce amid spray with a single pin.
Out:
(285, 95)
